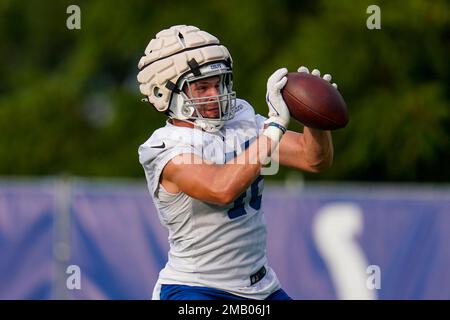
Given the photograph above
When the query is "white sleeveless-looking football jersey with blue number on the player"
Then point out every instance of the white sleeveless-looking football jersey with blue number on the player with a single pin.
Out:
(222, 247)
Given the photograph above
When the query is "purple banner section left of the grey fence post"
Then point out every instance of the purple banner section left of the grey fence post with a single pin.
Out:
(26, 237)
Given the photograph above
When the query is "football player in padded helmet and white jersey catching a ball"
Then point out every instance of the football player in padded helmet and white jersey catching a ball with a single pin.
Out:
(203, 168)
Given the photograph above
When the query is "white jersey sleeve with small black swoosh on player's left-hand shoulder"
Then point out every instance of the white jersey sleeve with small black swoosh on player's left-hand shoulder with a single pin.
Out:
(157, 152)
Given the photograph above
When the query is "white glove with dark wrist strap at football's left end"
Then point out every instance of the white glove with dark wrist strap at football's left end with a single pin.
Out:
(278, 111)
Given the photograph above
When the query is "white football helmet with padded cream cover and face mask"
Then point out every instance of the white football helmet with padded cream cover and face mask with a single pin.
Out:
(177, 57)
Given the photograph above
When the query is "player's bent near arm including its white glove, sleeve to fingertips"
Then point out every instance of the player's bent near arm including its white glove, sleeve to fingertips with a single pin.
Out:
(222, 184)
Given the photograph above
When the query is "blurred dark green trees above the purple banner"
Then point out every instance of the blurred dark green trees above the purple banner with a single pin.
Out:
(69, 100)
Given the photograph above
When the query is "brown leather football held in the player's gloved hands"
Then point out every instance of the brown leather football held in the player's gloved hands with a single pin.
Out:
(314, 102)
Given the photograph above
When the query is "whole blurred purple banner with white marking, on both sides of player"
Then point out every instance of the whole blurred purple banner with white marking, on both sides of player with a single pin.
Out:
(324, 242)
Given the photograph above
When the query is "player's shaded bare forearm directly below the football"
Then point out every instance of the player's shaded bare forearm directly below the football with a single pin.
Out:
(319, 148)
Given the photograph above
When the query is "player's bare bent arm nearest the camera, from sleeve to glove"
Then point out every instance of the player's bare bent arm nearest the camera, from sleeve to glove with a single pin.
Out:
(213, 183)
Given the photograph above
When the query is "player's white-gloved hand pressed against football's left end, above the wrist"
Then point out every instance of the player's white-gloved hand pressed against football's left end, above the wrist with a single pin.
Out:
(278, 110)
